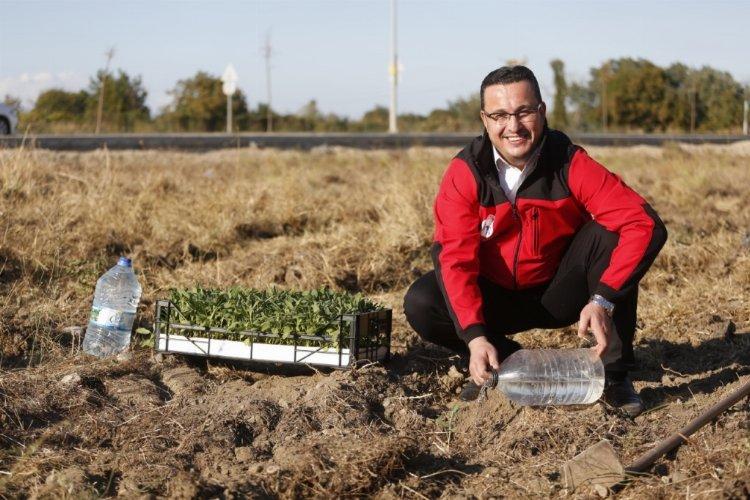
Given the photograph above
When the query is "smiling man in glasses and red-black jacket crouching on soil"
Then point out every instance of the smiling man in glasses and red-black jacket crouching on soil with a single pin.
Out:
(531, 232)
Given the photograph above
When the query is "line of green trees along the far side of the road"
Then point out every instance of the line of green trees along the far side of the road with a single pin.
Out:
(620, 95)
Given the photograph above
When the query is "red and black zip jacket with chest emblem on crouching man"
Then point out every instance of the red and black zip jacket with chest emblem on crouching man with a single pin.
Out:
(478, 231)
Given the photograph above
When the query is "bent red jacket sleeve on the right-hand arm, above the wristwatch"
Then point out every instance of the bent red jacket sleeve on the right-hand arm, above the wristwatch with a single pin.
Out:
(619, 209)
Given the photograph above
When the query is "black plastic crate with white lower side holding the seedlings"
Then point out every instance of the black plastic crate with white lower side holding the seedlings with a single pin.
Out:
(362, 337)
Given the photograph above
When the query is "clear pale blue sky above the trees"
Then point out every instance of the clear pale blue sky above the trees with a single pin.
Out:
(337, 51)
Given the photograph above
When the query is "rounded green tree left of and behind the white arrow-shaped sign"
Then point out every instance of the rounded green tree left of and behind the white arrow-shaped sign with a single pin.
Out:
(198, 104)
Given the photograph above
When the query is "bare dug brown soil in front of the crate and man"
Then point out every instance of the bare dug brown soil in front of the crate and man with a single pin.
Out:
(181, 427)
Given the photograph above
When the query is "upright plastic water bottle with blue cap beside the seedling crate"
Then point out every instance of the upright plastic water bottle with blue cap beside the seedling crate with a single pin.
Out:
(115, 302)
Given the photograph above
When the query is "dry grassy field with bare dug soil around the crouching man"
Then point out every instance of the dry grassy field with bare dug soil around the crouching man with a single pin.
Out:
(148, 425)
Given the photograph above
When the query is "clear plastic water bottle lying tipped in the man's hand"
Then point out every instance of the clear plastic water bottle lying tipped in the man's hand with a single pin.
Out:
(550, 377)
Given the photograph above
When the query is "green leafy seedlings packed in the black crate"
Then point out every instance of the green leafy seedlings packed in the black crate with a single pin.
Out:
(282, 313)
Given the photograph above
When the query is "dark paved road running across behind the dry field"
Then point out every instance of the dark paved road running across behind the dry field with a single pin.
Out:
(203, 142)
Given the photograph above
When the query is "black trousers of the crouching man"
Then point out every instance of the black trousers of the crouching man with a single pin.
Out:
(554, 305)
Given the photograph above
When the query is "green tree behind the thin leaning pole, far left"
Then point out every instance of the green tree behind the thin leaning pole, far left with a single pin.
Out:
(124, 101)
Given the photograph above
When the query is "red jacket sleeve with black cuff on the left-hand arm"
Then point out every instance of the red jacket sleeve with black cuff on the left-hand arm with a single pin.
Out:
(455, 251)
